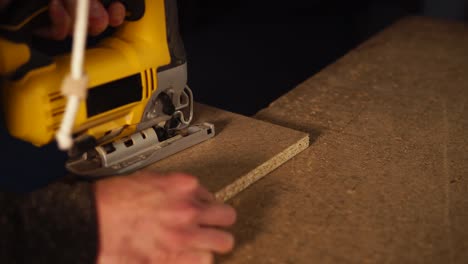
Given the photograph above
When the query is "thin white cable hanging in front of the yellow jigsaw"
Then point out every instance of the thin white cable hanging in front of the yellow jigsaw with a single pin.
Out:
(64, 135)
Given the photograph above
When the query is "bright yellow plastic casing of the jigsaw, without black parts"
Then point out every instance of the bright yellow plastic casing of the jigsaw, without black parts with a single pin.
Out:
(34, 106)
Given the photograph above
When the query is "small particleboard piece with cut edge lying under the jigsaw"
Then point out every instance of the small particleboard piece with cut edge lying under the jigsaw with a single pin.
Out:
(243, 151)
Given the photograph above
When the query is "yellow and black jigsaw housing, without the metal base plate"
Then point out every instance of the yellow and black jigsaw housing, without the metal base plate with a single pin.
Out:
(122, 69)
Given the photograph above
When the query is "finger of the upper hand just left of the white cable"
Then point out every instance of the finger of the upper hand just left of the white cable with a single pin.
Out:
(61, 22)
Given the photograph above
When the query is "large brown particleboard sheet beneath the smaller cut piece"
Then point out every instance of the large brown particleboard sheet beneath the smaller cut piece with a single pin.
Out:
(385, 178)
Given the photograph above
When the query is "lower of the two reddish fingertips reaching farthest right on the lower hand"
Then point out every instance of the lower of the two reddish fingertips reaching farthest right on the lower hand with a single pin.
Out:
(213, 240)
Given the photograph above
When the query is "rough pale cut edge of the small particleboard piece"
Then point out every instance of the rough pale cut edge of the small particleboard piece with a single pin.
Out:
(262, 170)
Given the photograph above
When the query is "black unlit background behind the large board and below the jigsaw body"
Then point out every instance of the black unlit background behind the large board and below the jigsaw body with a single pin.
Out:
(244, 54)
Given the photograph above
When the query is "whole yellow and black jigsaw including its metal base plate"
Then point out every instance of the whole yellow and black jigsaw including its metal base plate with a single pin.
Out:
(138, 108)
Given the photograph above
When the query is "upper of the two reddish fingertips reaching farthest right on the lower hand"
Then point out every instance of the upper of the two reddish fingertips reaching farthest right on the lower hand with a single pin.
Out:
(217, 215)
